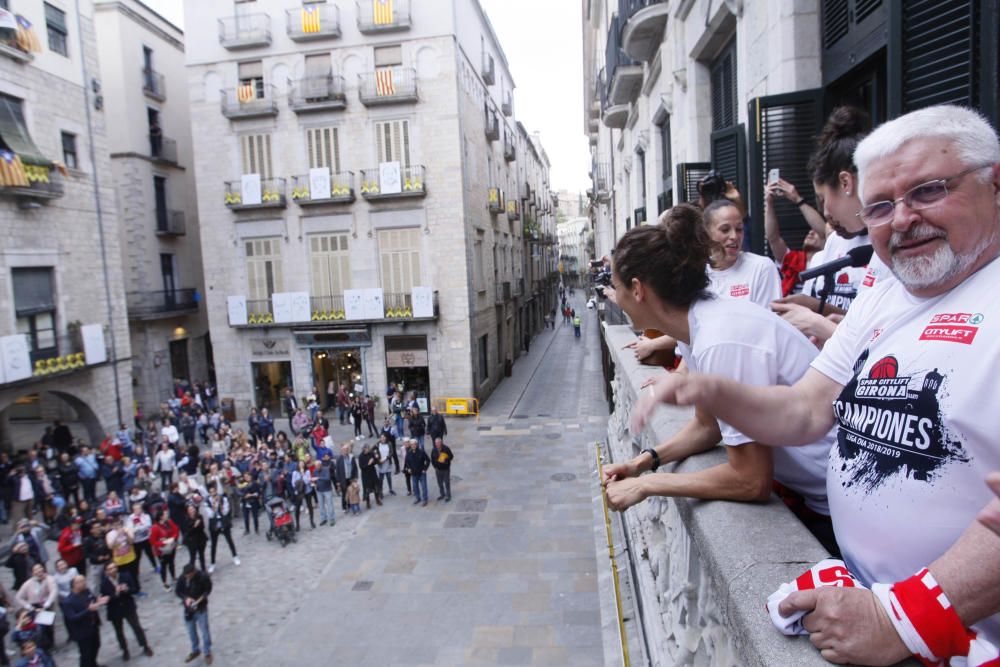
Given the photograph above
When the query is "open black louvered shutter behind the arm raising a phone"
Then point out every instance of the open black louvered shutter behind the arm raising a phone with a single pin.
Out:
(782, 134)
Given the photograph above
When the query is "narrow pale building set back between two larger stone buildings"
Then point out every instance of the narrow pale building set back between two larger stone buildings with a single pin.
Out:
(145, 92)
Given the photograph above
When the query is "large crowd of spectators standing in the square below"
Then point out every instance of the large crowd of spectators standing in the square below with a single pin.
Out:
(181, 482)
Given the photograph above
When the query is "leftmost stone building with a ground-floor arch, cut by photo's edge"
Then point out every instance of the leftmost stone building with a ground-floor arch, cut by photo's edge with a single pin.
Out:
(63, 328)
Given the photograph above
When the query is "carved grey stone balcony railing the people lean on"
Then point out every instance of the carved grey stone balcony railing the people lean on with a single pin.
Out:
(704, 569)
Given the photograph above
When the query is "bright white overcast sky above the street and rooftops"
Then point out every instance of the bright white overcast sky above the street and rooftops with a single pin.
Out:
(542, 42)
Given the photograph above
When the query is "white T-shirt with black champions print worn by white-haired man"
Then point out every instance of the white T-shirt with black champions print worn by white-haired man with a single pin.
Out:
(917, 432)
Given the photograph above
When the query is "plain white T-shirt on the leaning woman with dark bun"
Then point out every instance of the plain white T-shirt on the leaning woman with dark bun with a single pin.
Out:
(763, 350)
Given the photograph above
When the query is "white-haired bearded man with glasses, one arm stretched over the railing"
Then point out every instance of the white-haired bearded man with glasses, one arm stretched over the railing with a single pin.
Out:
(904, 498)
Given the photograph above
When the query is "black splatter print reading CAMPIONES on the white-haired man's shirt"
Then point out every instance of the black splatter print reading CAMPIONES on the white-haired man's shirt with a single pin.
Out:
(892, 424)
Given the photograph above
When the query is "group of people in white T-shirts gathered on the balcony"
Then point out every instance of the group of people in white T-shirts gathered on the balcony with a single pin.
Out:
(863, 398)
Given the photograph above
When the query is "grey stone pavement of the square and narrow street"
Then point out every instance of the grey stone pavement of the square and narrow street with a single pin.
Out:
(505, 574)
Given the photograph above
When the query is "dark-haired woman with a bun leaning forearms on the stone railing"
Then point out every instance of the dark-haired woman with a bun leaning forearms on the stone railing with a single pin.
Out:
(660, 281)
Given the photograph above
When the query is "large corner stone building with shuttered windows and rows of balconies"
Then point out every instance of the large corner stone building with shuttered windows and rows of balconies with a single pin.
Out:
(369, 207)
